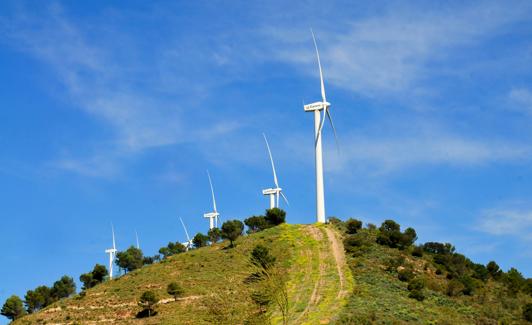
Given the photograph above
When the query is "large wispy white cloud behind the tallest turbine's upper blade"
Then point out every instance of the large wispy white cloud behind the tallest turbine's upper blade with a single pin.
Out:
(395, 52)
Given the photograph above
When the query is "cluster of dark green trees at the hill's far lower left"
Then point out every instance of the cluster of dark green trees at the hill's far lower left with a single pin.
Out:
(40, 297)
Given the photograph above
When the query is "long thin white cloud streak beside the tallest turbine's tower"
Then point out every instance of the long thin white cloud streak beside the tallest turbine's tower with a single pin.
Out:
(377, 154)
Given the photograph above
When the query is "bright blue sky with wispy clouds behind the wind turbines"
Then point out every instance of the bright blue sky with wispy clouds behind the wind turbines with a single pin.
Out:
(112, 114)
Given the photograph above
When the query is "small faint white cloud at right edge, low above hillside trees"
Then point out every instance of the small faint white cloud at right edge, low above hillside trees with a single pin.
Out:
(507, 221)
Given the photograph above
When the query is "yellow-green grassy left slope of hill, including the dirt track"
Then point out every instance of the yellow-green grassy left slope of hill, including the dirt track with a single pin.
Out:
(318, 283)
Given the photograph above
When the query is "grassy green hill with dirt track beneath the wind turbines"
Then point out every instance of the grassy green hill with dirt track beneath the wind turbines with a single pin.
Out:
(368, 282)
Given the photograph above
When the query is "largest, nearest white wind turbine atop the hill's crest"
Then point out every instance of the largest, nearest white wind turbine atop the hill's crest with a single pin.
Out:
(317, 107)
